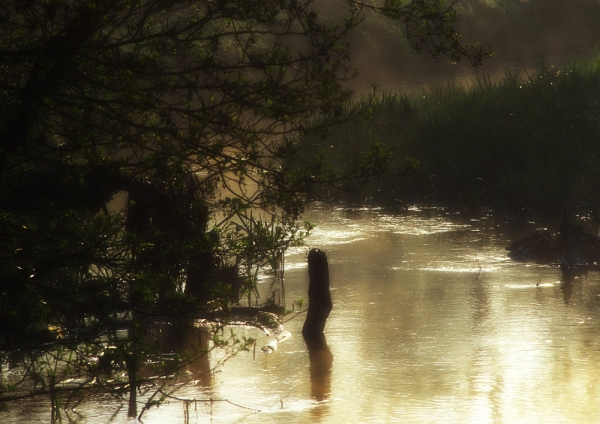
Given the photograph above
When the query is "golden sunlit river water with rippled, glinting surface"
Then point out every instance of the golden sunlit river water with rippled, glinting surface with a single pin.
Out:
(431, 324)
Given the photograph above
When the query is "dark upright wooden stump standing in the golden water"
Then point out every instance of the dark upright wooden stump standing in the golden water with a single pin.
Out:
(319, 298)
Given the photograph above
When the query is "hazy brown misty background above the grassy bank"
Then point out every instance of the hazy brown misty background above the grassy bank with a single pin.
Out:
(521, 33)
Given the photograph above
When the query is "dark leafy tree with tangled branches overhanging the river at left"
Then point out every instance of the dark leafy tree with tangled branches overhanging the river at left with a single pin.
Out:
(190, 109)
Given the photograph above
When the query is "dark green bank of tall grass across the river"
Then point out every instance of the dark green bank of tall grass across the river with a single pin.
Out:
(527, 143)
